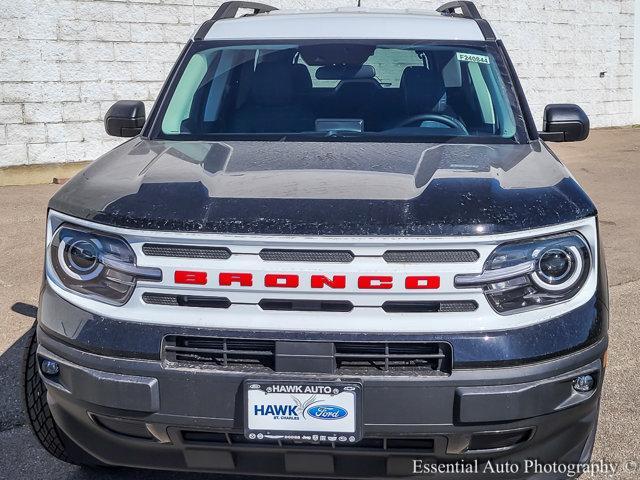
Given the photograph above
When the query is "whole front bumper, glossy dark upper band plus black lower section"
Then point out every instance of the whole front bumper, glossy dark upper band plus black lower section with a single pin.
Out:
(121, 401)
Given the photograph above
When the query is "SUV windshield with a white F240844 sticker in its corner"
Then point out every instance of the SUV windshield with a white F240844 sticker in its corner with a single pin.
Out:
(343, 90)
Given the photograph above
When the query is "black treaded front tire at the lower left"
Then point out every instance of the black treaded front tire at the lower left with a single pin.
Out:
(36, 408)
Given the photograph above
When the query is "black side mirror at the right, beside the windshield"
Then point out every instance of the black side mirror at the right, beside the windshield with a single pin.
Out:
(564, 122)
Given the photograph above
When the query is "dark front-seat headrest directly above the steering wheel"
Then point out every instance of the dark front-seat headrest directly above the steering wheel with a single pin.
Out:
(422, 90)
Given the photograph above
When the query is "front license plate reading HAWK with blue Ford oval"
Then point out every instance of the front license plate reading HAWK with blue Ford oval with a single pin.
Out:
(303, 411)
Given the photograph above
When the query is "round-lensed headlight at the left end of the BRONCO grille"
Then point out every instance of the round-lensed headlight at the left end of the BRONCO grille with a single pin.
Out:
(97, 265)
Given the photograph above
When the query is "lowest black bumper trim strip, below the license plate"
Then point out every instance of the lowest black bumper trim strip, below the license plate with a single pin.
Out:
(559, 437)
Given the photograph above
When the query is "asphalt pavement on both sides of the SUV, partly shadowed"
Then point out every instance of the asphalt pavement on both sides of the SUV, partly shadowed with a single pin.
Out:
(607, 165)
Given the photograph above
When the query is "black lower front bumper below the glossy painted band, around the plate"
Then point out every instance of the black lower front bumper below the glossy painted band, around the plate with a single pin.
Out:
(143, 413)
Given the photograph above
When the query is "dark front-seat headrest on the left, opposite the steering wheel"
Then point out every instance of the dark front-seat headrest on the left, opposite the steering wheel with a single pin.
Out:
(272, 84)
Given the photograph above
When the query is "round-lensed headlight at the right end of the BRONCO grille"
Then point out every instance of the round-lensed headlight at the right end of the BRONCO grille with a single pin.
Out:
(533, 273)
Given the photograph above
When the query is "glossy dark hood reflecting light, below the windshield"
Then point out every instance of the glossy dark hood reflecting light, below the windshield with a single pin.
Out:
(325, 188)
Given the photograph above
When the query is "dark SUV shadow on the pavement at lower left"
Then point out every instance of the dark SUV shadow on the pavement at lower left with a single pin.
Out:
(16, 438)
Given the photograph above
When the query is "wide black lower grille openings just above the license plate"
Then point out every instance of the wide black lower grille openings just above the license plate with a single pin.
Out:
(350, 358)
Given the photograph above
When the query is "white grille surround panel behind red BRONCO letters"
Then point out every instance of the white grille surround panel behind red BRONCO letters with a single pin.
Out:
(367, 314)
